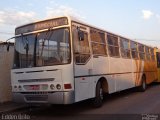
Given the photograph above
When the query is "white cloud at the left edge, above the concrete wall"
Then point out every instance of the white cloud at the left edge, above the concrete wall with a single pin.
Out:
(14, 17)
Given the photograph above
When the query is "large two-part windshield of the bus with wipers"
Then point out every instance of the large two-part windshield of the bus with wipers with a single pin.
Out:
(43, 49)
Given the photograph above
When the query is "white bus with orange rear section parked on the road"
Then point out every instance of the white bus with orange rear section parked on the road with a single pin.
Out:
(63, 61)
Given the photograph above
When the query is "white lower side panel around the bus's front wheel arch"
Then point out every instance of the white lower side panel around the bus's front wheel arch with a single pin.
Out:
(85, 86)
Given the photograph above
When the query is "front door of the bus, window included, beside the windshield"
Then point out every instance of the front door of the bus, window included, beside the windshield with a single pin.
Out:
(82, 64)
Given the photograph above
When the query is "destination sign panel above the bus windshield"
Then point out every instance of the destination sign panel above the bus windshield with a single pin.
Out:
(41, 25)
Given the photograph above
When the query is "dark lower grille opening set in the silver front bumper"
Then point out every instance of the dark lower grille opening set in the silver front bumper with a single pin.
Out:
(36, 97)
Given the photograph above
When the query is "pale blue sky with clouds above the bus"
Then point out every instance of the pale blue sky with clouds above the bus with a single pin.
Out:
(138, 20)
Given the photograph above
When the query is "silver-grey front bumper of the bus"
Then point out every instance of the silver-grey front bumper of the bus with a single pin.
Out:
(48, 98)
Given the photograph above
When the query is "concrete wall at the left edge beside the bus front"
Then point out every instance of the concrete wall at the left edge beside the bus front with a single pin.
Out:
(6, 61)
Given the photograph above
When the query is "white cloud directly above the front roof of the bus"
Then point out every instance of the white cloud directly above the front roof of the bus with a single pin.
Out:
(61, 10)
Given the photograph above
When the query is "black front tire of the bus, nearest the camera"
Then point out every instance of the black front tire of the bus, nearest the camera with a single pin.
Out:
(98, 100)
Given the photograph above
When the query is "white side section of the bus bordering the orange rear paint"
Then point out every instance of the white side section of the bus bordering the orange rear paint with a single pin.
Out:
(121, 70)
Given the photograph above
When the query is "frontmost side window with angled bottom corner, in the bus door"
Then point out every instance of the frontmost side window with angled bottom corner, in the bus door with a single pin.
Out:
(81, 47)
